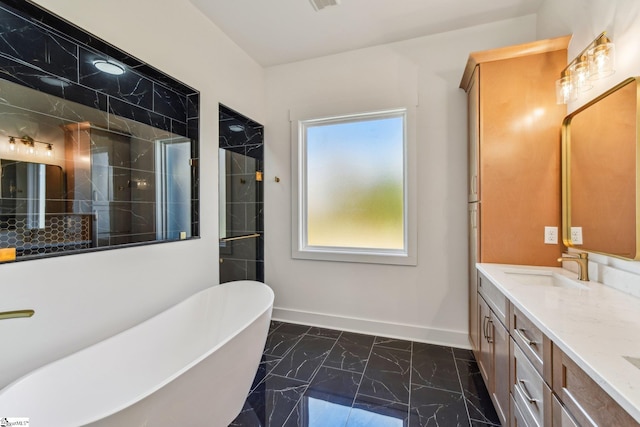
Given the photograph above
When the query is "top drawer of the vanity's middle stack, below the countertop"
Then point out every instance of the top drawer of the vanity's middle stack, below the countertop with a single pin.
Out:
(535, 345)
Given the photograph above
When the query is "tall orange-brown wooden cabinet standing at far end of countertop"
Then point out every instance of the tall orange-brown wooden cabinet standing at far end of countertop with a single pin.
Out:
(514, 149)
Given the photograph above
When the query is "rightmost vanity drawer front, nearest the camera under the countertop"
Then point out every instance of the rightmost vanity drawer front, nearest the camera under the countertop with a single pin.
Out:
(583, 398)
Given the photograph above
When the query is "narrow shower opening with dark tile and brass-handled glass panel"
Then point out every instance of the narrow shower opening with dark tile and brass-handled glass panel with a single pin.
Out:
(241, 197)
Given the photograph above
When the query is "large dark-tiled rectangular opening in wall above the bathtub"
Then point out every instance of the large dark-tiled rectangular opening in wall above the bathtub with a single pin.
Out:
(97, 149)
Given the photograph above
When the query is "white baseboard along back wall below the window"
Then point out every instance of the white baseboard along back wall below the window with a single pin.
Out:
(374, 327)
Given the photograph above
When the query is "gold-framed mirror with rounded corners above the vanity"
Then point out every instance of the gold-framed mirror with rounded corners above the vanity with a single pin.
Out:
(600, 174)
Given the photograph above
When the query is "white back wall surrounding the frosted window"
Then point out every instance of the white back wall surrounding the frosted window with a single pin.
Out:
(427, 302)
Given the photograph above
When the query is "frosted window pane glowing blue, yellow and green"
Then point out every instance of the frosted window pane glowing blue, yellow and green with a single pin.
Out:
(353, 195)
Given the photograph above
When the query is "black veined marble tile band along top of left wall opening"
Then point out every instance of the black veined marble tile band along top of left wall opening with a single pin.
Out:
(56, 58)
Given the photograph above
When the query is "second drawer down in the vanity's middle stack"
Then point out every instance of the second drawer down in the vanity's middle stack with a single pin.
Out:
(530, 393)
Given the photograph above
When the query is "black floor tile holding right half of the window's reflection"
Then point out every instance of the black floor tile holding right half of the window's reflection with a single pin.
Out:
(368, 411)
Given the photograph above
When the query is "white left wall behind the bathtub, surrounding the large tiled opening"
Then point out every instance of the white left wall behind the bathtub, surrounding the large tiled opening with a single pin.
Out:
(81, 299)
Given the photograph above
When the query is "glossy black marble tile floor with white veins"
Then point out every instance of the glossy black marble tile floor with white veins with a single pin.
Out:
(316, 377)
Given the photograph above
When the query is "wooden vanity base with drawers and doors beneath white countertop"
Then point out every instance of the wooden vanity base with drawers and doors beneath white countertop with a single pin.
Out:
(531, 381)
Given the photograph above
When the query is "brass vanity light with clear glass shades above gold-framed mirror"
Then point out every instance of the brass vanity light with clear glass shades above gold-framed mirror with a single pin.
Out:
(596, 61)
